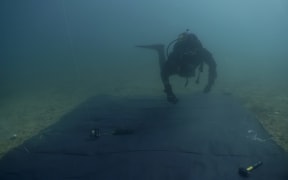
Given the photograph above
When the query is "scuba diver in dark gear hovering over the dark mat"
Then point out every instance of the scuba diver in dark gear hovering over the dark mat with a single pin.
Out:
(188, 54)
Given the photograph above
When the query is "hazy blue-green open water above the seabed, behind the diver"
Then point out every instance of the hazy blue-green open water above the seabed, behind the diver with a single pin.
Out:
(73, 43)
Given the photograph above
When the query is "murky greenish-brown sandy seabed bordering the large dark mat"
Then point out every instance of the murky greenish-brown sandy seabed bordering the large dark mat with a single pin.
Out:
(26, 114)
